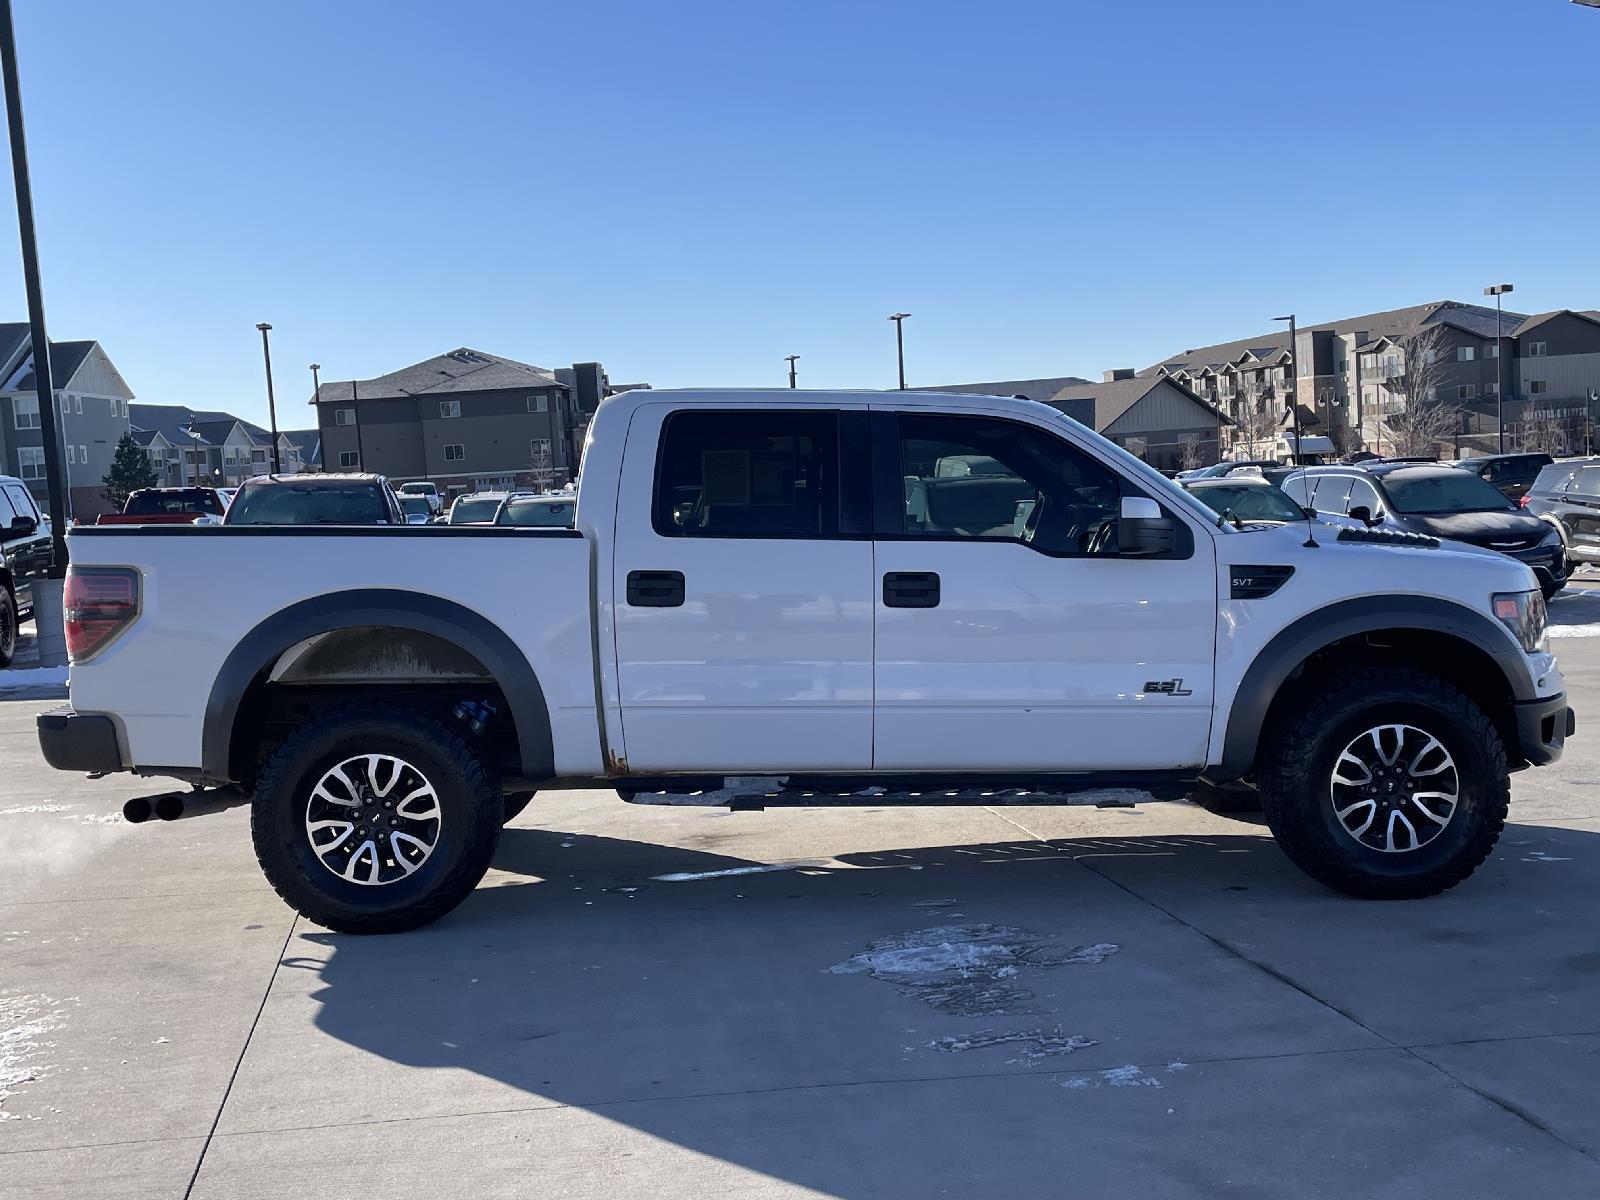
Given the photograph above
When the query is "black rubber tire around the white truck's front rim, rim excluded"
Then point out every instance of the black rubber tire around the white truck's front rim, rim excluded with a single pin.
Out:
(1298, 761)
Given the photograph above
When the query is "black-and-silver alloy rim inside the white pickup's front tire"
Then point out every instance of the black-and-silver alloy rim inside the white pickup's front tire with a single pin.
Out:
(1394, 788)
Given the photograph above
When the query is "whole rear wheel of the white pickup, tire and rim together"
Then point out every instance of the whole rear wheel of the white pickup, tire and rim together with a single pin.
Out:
(375, 820)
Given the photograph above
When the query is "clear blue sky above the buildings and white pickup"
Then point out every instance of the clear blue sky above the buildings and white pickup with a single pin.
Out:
(692, 191)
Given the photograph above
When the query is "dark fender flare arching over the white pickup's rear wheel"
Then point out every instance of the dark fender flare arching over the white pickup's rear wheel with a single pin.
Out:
(425, 614)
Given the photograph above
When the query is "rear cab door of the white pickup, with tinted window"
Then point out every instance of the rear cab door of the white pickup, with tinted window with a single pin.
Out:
(743, 590)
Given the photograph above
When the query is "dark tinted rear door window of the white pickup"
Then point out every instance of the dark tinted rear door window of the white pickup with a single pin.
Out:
(748, 476)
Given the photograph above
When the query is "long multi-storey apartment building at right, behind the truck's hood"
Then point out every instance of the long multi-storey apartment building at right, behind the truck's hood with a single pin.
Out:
(1351, 375)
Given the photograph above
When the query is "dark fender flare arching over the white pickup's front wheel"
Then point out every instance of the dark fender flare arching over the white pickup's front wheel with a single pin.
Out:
(1322, 628)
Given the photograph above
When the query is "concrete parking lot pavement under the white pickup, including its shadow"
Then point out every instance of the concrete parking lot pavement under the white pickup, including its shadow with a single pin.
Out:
(670, 1002)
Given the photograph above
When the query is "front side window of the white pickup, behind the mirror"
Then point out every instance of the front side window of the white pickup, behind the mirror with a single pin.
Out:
(1002, 481)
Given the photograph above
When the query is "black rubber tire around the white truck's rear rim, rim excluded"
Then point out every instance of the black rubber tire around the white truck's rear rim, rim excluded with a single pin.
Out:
(470, 802)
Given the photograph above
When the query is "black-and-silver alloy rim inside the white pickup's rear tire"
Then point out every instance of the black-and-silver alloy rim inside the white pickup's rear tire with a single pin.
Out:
(374, 820)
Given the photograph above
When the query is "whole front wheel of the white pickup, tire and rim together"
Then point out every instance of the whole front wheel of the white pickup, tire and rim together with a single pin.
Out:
(1386, 785)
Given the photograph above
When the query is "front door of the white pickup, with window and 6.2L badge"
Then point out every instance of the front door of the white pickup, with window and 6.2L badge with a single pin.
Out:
(1010, 634)
